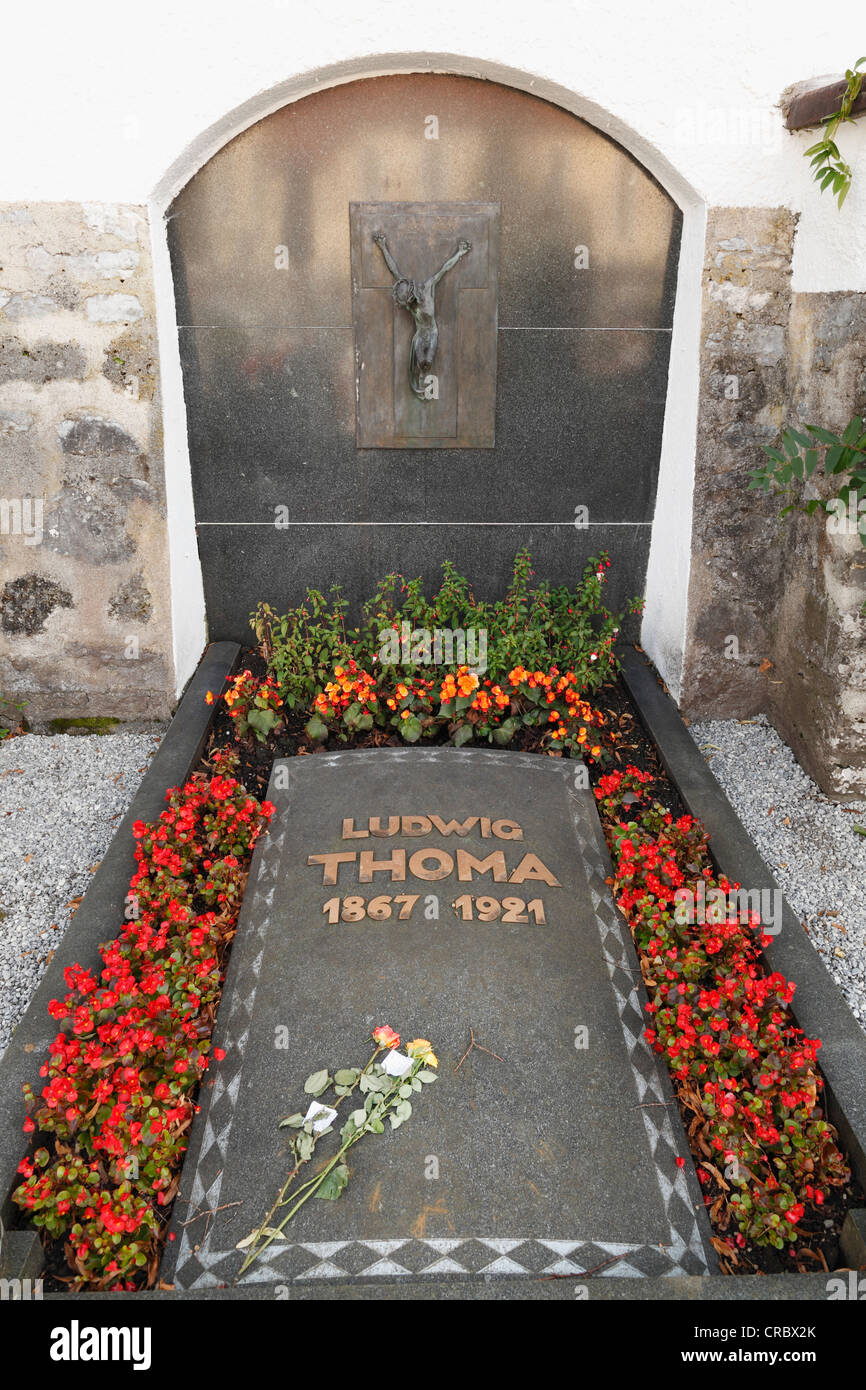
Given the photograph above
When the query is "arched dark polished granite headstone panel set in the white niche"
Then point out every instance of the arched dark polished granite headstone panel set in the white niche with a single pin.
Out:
(580, 298)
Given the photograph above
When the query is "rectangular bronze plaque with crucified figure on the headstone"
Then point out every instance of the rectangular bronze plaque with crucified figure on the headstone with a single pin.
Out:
(425, 312)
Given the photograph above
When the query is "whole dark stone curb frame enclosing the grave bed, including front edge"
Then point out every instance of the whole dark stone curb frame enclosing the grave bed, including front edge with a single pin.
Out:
(697, 787)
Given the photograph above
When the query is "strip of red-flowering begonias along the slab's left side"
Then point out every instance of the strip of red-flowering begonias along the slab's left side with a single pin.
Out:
(134, 1040)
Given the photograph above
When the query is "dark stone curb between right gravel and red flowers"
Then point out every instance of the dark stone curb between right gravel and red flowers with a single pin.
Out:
(818, 1006)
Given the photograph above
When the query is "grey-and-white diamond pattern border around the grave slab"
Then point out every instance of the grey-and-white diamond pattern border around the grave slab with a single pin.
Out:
(476, 1256)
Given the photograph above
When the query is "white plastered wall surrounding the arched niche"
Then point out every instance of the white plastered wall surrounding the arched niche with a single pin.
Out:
(124, 106)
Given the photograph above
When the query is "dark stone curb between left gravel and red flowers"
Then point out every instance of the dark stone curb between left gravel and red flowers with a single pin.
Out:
(102, 910)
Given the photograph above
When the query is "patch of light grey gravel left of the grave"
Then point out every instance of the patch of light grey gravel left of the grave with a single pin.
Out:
(60, 801)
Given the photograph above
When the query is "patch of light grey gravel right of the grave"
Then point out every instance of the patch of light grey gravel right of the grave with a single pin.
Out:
(808, 842)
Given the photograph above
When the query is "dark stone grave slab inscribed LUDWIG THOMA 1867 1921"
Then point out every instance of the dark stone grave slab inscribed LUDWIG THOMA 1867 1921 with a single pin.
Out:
(555, 1157)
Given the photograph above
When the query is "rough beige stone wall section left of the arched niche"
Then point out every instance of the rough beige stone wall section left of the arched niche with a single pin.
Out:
(85, 625)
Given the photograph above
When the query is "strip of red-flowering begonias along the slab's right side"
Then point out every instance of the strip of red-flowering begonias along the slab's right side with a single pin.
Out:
(721, 1021)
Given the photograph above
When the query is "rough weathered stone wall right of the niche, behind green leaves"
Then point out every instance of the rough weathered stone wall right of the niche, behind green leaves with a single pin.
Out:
(775, 616)
